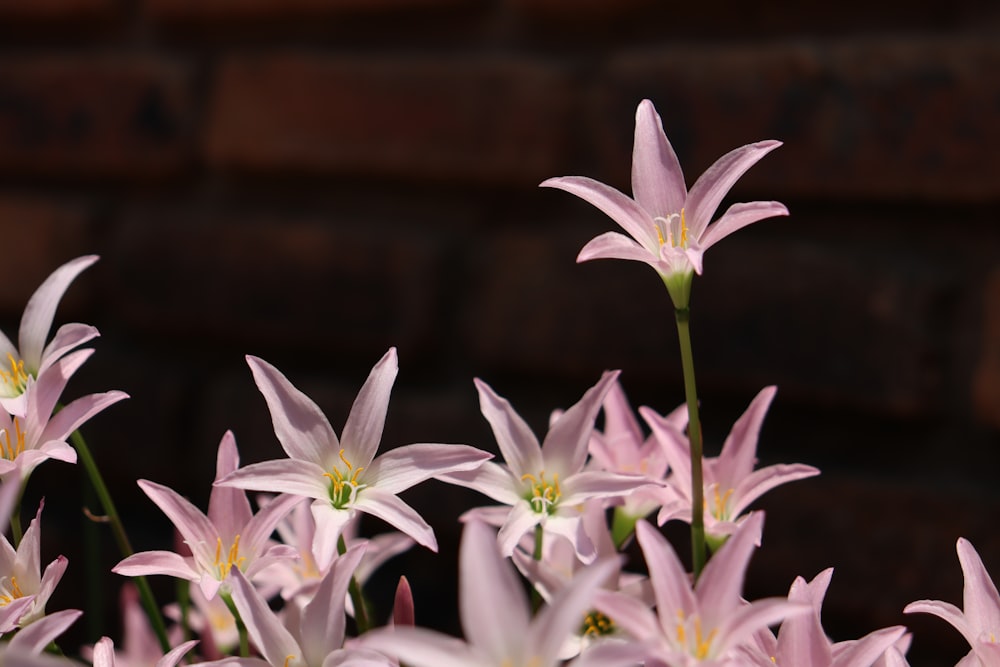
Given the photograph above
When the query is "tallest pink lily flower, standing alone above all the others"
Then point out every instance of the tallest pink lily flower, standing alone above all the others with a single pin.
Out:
(668, 225)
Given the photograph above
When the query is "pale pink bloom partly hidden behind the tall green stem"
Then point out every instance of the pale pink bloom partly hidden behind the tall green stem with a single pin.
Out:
(731, 483)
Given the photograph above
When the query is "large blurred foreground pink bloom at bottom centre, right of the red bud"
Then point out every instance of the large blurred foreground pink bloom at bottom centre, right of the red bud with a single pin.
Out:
(496, 615)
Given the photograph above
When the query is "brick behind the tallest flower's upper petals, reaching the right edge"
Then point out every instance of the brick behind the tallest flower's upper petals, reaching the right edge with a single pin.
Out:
(870, 118)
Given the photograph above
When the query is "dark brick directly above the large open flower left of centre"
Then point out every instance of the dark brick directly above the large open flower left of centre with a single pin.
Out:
(300, 285)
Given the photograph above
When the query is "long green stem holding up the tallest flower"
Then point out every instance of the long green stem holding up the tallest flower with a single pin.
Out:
(683, 316)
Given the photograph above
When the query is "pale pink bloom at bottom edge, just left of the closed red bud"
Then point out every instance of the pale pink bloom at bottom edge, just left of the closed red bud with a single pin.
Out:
(312, 637)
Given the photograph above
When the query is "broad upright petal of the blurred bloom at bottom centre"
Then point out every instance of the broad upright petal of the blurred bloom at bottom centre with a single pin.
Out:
(500, 625)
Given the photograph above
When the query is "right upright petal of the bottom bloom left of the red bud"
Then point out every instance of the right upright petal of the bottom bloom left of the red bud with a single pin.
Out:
(321, 628)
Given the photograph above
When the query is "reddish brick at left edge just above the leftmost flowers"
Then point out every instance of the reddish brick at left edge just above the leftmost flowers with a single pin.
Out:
(41, 235)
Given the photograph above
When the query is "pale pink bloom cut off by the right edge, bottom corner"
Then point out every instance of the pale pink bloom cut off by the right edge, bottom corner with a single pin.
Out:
(979, 619)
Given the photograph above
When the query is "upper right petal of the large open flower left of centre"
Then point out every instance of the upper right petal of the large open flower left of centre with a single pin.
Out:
(363, 430)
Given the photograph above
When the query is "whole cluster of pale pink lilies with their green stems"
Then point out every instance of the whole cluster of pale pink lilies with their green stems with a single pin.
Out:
(543, 576)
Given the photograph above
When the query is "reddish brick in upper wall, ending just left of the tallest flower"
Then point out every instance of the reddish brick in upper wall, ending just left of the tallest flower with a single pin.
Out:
(433, 118)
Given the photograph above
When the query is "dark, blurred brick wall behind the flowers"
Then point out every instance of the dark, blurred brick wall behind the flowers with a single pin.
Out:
(313, 181)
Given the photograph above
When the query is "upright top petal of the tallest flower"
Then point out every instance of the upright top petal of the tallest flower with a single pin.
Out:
(657, 179)
